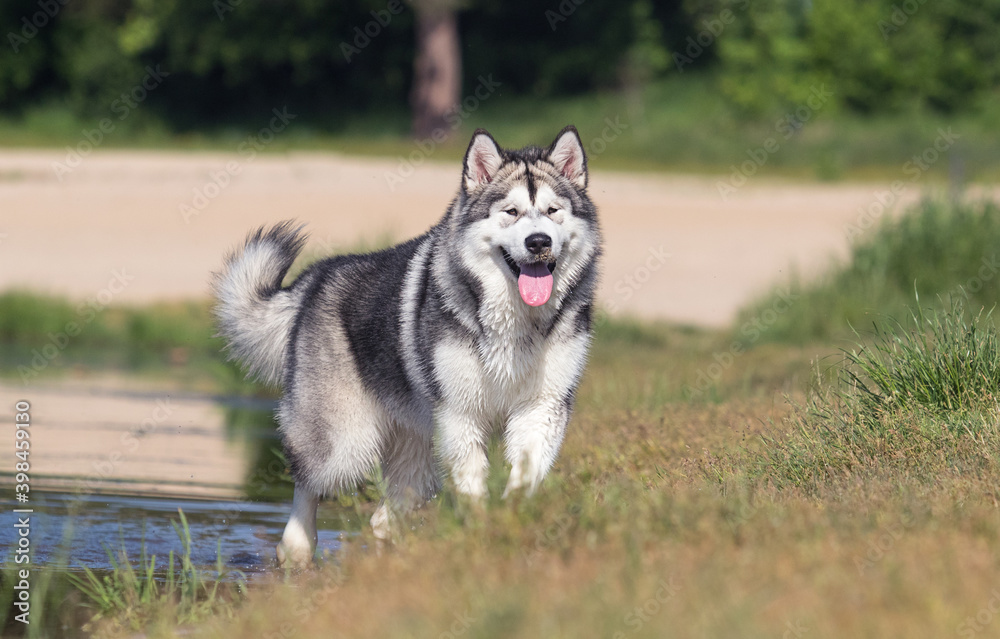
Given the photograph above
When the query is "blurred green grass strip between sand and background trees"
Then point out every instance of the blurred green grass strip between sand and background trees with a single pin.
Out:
(679, 123)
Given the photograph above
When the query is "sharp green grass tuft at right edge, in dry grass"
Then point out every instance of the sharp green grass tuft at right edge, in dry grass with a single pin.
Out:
(920, 396)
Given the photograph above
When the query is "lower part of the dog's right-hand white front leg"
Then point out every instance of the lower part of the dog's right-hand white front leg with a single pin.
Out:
(532, 441)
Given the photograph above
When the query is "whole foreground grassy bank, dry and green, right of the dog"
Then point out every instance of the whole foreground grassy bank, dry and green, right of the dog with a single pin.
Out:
(784, 490)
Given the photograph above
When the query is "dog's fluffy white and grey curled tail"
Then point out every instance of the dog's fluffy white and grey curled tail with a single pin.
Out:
(255, 314)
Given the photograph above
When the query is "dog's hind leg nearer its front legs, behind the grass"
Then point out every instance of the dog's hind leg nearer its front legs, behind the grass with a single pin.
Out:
(410, 474)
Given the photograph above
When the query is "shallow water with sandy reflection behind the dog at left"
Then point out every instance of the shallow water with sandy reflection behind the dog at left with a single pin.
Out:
(111, 468)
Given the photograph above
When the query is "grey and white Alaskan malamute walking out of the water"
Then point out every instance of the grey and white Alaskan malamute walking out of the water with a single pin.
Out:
(482, 324)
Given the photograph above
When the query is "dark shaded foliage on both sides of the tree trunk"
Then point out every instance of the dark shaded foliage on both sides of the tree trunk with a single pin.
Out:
(237, 60)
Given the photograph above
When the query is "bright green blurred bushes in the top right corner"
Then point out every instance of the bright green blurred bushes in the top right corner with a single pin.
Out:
(882, 55)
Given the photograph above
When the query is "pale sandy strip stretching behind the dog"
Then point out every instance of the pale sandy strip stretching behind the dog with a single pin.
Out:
(118, 217)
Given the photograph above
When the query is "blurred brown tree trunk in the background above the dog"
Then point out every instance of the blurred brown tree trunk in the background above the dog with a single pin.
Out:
(437, 68)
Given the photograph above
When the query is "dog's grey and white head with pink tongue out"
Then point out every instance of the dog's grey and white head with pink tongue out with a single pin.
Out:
(528, 214)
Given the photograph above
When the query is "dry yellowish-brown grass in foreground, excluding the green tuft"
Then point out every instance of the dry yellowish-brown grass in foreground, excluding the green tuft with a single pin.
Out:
(661, 519)
